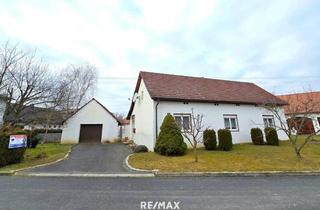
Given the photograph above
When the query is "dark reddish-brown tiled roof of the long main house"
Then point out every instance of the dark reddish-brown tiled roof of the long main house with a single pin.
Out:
(168, 87)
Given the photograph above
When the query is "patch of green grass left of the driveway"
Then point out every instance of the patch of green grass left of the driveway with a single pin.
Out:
(53, 152)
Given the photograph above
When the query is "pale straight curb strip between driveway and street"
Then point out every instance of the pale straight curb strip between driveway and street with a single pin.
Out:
(95, 175)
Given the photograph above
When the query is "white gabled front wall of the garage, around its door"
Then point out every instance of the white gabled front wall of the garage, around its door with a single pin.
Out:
(92, 113)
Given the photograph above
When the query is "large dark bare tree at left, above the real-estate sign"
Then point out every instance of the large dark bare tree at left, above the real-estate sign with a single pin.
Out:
(29, 84)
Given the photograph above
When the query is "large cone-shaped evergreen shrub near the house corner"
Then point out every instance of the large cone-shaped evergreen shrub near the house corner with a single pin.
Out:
(170, 141)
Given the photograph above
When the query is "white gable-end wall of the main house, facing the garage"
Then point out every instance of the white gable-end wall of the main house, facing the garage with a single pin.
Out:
(144, 119)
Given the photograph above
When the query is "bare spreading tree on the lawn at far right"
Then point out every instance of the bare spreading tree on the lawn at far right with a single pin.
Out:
(299, 111)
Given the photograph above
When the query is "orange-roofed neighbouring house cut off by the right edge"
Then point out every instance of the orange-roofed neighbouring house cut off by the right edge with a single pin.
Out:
(304, 105)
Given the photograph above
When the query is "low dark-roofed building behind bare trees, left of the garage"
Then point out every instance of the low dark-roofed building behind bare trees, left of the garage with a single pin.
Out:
(33, 117)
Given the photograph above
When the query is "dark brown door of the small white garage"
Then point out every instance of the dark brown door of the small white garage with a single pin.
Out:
(90, 133)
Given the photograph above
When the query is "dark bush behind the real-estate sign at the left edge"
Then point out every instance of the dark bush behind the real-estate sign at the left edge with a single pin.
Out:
(9, 156)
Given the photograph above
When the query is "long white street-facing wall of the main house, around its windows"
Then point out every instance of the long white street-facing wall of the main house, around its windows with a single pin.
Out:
(249, 116)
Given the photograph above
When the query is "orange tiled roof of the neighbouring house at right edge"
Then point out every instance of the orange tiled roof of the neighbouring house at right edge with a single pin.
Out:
(302, 102)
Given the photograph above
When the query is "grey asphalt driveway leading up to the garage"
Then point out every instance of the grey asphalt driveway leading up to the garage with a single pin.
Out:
(91, 158)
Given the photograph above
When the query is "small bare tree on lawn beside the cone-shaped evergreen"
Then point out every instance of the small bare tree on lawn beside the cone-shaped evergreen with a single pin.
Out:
(193, 134)
